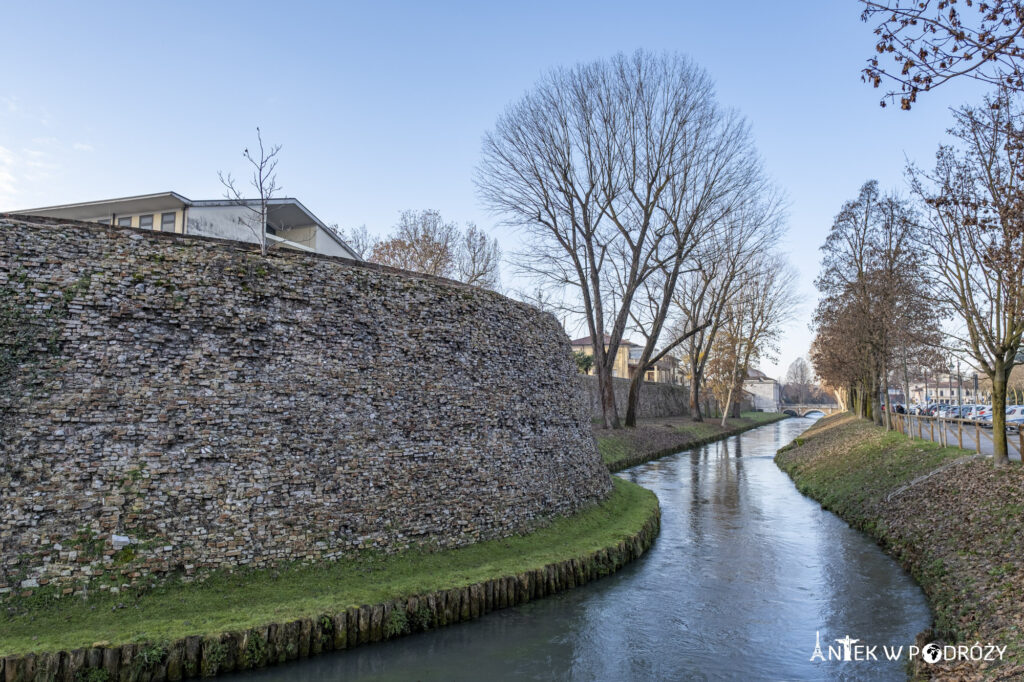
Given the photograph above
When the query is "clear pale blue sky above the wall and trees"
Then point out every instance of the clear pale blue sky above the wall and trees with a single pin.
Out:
(381, 107)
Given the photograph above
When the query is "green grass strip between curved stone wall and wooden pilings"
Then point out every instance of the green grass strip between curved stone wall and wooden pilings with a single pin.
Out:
(247, 599)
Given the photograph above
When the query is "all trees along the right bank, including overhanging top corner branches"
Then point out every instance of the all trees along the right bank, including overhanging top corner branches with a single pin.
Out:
(909, 282)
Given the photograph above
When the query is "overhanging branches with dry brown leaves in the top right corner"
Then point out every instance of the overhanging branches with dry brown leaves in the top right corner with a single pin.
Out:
(931, 42)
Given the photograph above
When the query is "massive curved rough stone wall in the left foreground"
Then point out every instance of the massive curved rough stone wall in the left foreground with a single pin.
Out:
(220, 408)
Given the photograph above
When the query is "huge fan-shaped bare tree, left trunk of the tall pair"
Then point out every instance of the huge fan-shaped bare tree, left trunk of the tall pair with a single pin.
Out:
(583, 165)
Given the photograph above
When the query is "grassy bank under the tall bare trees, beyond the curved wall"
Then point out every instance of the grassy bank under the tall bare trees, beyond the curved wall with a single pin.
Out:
(653, 439)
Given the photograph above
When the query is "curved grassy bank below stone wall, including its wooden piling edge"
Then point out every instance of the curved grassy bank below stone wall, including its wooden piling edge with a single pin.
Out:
(252, 619)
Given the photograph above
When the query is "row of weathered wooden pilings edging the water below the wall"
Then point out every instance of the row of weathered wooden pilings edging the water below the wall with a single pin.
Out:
(280, 643)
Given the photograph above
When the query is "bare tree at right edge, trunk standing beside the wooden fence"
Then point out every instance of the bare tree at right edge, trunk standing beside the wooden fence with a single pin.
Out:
(975, 234)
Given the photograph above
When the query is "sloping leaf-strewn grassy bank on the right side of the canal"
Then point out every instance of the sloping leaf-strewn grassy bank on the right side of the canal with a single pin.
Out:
(955, 522)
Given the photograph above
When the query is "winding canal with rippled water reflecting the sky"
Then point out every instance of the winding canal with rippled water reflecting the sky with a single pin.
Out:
(745, 576)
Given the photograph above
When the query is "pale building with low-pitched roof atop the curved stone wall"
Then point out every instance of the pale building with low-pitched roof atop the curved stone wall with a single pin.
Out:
(290, 225)
